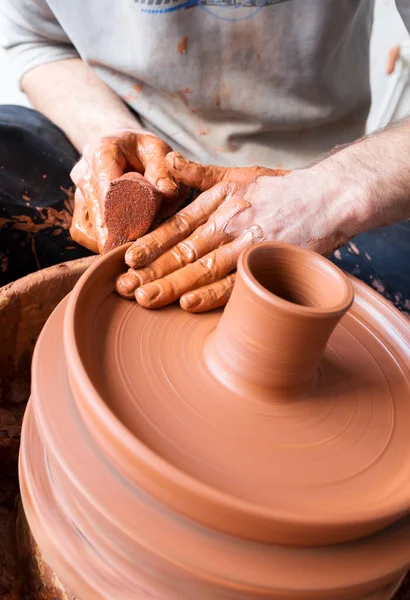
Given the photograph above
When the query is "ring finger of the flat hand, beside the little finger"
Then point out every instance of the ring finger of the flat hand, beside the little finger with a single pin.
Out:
(212, 267)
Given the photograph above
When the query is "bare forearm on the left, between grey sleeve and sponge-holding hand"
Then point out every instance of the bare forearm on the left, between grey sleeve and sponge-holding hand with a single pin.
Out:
(76, 100)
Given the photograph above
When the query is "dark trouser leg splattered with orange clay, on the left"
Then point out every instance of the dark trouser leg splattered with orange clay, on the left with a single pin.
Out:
(36, 194)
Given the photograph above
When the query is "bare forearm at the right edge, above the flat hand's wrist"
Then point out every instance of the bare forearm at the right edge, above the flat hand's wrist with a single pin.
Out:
(374, 177)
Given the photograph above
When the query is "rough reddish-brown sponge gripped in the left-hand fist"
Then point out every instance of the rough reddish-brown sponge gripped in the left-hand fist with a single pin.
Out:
(130, 208)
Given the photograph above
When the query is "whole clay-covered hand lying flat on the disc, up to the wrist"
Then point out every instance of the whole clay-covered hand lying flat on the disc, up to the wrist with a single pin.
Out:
(193, 256)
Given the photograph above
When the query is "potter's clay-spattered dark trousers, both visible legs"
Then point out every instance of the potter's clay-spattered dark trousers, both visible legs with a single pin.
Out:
(36, 202)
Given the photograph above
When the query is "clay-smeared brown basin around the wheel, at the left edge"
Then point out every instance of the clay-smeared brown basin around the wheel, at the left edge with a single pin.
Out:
(25, 306)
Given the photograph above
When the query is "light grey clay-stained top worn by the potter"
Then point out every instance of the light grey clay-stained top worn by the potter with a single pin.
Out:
(271, 82)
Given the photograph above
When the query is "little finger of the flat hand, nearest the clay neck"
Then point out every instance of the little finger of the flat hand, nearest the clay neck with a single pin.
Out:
(209, 297)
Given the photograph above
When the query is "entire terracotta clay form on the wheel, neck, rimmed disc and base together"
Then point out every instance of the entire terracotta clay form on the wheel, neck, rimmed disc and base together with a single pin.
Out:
(239, 454)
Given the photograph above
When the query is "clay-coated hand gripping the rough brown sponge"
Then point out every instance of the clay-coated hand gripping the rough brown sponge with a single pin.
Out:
(107, 160)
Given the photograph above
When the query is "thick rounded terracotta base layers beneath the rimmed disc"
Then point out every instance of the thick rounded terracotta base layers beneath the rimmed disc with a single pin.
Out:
(107, 538)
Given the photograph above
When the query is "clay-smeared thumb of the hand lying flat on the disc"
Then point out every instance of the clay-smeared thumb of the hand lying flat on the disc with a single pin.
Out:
(203, 177)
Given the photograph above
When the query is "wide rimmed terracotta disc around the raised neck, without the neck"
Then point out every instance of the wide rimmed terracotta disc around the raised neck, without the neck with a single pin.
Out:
(329, 466)
